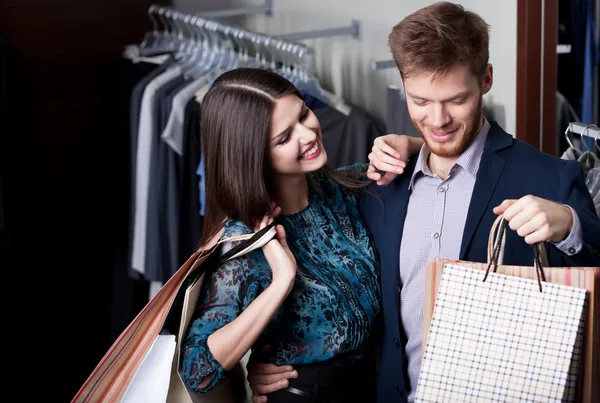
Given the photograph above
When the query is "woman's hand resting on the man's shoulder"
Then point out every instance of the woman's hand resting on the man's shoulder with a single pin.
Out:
(389, 155)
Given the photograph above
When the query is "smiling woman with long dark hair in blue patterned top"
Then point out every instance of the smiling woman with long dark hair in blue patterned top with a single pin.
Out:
(312, 294)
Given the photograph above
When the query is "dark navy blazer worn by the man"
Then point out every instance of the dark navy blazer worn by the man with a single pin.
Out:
(509, 169)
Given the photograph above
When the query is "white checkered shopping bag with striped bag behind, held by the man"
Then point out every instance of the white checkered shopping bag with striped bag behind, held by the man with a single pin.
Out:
(501, 333)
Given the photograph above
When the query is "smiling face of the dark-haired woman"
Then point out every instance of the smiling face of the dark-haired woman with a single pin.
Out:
(295, 144)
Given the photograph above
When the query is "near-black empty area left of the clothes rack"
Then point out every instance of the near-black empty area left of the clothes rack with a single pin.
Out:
(59, 179)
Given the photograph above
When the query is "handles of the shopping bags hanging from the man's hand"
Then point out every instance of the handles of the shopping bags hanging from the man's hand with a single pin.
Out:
(496, 245)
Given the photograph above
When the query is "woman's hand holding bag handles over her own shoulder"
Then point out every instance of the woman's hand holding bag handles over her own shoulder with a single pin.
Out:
(278, 254)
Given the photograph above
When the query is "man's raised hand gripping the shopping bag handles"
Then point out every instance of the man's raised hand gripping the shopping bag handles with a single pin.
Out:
(537, 220)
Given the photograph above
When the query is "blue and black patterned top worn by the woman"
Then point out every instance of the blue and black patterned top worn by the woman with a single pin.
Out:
(332, 307)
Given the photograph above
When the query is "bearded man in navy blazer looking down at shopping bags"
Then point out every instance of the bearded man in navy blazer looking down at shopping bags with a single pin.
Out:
(468, 172)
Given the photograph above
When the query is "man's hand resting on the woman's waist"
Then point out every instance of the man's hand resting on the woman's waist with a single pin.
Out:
(267, 378)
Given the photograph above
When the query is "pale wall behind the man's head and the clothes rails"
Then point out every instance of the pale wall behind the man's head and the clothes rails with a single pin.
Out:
(343, 64)
